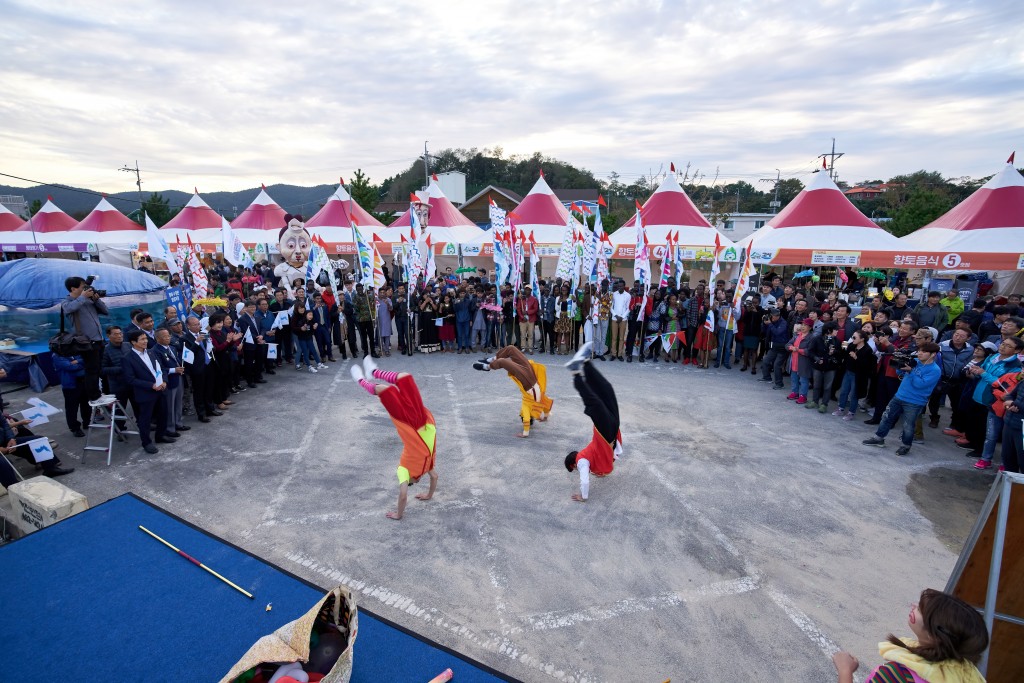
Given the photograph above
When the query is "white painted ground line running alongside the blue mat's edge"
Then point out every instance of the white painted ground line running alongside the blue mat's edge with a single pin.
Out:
(492, 643)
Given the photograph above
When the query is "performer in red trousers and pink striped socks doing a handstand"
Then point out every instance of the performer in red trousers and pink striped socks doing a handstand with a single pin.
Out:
(414, 422)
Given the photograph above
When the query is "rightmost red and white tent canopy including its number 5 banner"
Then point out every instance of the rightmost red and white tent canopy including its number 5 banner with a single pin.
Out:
(986, 232)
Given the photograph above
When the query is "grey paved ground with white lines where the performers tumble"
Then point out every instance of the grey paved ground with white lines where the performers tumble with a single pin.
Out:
(741, 536)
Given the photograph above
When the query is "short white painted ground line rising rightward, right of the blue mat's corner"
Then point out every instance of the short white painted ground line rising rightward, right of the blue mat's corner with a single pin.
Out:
(570, 618)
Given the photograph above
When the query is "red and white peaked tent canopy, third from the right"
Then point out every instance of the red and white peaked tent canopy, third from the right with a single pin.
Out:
(669, 212)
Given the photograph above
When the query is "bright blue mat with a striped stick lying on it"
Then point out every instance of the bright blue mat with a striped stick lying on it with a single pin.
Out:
(95, 599)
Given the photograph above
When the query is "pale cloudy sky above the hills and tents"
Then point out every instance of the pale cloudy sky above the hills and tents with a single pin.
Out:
(226, 96)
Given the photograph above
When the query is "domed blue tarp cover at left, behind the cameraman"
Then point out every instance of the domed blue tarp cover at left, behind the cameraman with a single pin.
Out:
(38, 283)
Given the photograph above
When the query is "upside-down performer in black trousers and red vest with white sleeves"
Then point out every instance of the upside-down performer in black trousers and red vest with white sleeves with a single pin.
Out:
(600, 403)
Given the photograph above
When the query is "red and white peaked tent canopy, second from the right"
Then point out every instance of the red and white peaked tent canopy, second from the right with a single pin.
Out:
(821, 227)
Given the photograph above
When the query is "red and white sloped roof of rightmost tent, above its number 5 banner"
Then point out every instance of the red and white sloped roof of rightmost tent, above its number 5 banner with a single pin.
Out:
(1000, 203)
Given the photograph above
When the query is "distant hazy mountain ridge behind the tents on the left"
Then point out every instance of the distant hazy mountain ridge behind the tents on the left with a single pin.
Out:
(293, 199)
